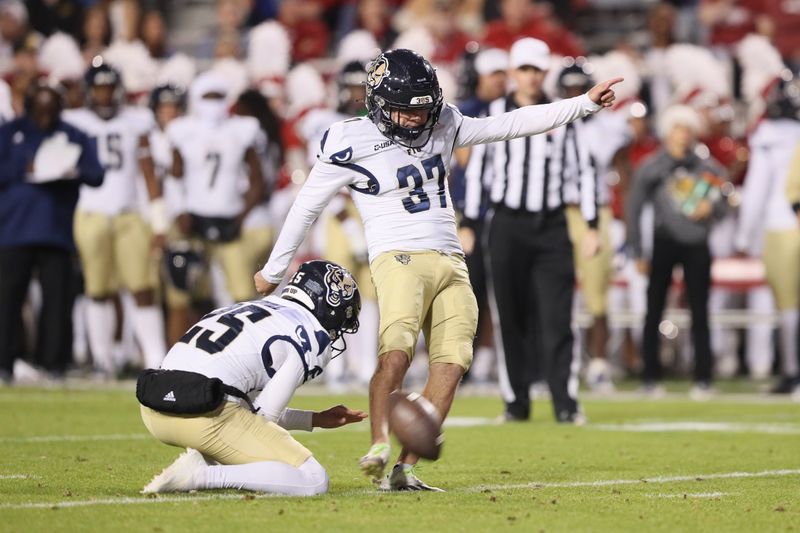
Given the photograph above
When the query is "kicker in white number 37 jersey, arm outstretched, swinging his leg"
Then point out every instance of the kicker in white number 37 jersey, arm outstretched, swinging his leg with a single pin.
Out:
(396, 162)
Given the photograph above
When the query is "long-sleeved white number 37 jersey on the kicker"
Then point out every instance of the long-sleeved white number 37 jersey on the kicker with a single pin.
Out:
(402, 193)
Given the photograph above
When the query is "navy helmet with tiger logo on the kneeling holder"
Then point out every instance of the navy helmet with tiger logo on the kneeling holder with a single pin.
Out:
(329, 292)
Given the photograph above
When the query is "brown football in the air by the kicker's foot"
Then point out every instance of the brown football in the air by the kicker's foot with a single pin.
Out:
(416, 424)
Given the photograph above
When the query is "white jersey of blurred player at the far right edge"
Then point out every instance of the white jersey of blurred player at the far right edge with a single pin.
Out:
(765, 205)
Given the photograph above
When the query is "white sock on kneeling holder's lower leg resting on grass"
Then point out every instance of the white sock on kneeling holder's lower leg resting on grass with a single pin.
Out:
(308, 479)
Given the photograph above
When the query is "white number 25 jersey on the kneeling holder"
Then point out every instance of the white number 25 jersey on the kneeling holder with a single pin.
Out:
(266, 347)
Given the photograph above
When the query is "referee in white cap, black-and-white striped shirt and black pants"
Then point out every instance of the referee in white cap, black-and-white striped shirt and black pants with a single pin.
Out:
(531, 179)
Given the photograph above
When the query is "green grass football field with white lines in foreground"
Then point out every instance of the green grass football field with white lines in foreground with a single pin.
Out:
(75, 460)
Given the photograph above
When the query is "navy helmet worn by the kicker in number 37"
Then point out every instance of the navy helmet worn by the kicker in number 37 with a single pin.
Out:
(403, 80)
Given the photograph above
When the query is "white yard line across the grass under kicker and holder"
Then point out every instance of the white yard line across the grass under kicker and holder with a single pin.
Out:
(480, 488)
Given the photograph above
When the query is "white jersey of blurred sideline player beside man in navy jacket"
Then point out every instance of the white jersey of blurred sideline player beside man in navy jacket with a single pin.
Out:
(118, 151)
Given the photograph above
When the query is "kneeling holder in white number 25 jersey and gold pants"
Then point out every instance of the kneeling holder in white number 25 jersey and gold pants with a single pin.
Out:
(265, 349)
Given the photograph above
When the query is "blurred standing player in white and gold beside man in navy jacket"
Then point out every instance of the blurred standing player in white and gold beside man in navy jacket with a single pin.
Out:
(113, 240)
